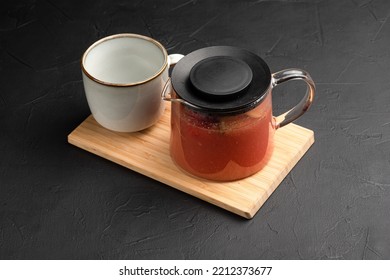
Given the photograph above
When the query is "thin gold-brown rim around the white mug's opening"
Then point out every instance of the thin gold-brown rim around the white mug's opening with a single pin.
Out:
(124, 35)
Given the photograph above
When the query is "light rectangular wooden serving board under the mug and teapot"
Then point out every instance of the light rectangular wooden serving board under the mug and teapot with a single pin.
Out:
(147, 152)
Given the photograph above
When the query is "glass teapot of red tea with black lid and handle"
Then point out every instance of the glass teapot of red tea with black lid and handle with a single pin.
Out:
(222, 126)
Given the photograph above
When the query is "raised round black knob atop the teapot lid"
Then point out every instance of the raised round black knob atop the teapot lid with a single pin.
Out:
(220, 77)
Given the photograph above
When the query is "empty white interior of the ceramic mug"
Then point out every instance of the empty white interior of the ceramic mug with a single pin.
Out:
(124, 59)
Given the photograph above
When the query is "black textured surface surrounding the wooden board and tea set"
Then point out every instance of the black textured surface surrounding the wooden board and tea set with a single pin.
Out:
(60, 202)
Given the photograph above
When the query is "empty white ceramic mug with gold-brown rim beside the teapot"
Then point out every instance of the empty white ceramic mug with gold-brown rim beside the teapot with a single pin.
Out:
(123, 76)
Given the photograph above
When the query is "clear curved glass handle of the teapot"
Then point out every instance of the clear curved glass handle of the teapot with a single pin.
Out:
(299, 109)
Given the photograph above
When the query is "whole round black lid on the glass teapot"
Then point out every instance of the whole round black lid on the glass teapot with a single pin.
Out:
(221, 79)
